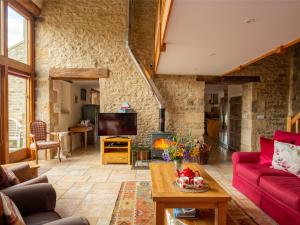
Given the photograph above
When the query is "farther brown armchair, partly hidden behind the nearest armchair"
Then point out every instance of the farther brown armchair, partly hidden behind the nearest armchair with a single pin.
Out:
(24, 174)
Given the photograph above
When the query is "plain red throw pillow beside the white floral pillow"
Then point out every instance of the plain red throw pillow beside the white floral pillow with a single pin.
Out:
(266, 151)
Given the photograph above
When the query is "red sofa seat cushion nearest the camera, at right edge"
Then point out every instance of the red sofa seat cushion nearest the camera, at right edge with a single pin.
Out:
(285, 189)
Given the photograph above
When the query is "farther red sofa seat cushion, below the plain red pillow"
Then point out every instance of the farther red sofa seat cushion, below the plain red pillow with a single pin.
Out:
(252, 172)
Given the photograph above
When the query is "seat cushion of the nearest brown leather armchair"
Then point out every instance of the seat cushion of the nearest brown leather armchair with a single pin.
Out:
(41, 218)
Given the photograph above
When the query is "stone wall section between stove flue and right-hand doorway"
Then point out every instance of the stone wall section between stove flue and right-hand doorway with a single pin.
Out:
(184, 101)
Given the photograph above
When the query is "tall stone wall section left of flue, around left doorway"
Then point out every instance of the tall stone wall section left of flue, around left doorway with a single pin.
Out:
(76, 34)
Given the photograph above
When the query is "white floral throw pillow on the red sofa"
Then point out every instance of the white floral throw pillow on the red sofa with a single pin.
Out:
(286, 157)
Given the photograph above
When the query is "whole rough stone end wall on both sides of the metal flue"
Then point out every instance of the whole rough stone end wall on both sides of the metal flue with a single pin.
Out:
(67, 37)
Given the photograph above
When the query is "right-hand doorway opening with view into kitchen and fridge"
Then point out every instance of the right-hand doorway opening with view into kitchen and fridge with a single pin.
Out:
(223, 110)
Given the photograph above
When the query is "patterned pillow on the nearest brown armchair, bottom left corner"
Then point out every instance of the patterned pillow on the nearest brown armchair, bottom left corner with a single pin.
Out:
(10, 212)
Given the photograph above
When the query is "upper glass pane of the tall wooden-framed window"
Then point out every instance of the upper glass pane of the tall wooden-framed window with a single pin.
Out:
(17, 32)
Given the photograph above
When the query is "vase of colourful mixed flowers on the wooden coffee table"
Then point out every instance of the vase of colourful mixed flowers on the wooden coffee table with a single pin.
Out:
(180, 149)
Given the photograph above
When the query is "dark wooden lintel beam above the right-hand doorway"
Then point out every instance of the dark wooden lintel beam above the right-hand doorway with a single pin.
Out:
(228, 79)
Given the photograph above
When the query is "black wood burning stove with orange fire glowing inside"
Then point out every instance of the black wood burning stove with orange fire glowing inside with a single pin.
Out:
(159, 142)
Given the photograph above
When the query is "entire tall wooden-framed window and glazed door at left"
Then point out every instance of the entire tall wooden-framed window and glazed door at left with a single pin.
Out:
(16, 79)
